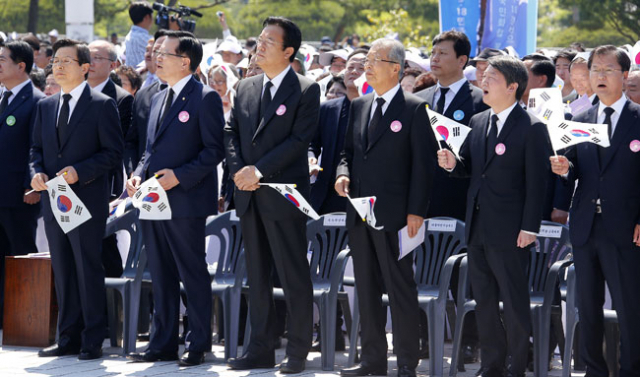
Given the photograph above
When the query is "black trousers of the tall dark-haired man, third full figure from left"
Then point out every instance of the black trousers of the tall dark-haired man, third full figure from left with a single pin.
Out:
(284, 243)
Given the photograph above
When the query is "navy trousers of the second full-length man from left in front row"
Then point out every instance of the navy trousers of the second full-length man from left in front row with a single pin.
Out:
(176, 252)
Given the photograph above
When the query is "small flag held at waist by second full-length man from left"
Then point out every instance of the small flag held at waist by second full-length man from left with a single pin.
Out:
(152, 201)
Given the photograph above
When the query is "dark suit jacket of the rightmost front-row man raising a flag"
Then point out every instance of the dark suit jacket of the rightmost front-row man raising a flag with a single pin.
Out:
(616, 183)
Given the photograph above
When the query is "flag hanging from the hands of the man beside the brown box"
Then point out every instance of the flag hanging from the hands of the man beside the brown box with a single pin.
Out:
(67, 208)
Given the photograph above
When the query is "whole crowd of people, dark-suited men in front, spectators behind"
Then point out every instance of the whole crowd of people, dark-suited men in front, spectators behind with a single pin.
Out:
(337, 120)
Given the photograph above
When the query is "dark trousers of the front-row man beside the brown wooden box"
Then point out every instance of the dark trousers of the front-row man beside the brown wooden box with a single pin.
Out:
(79, 279)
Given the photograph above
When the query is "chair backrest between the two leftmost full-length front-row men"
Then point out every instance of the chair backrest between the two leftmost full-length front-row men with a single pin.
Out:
(129, 222)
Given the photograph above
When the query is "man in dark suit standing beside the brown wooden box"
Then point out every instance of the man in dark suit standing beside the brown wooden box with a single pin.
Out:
(77, 132)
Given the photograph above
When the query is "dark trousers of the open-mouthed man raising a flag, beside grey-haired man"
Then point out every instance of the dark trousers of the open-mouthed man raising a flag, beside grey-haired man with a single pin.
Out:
(500, 274)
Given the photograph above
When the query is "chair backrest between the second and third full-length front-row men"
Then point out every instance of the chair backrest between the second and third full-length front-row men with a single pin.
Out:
(226, 228)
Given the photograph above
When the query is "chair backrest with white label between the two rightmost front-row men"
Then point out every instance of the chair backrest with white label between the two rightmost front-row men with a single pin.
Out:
(552, 245)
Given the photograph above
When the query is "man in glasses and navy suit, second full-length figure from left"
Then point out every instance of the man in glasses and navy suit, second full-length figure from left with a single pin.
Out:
(184, 146)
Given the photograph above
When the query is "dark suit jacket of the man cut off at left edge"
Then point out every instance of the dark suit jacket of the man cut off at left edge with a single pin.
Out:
(15, 141)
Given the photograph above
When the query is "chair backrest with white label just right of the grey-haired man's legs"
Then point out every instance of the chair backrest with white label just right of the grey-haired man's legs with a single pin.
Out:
(444, 237)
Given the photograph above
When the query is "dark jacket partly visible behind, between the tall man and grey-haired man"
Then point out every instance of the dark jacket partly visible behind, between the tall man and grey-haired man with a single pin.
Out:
(329, 141)
